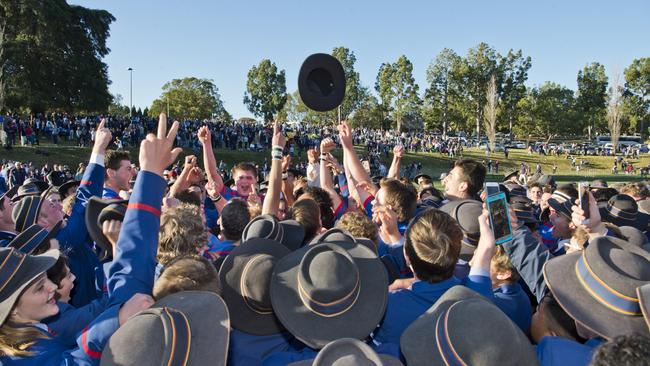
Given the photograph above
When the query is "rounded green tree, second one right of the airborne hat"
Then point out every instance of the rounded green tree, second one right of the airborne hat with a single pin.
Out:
(398, 90)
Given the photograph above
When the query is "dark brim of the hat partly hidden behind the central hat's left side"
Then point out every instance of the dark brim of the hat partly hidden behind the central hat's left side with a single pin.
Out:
(242, 316)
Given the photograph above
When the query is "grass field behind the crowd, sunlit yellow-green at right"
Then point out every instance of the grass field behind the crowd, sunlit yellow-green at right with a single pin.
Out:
(432, 164)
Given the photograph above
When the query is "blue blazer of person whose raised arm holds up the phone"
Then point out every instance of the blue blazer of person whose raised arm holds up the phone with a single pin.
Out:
(404, 306)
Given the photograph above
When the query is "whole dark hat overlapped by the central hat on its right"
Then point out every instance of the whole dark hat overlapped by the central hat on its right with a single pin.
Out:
(245, 277)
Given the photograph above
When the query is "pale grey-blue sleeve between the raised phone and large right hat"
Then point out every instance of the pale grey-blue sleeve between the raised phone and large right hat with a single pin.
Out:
(528, 257)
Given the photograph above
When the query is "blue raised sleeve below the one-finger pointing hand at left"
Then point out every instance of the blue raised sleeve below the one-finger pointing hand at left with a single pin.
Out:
(75, 232)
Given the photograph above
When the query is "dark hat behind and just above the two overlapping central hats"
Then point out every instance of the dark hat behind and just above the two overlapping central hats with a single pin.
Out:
(288, 232)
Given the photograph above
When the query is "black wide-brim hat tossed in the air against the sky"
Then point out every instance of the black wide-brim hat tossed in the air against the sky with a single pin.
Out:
(321, 82)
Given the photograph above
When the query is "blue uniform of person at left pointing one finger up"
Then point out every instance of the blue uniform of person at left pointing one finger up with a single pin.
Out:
(75, 242)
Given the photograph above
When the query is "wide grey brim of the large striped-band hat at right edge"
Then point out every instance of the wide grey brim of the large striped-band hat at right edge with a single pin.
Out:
(561, 279)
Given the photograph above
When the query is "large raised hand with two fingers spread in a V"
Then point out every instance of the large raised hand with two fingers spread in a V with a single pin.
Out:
(156, 151)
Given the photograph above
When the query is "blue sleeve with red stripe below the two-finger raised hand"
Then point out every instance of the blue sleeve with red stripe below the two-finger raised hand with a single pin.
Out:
(132, 269)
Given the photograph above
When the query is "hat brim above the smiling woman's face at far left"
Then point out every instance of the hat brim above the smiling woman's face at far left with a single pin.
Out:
(33, 267)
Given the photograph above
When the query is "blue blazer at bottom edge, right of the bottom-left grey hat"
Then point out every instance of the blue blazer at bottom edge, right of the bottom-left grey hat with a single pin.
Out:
(249, 350)
